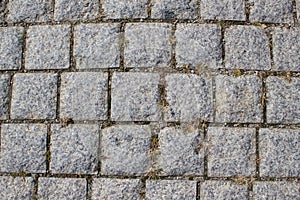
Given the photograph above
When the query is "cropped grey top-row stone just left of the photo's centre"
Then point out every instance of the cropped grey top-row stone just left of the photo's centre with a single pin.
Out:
(117, 9)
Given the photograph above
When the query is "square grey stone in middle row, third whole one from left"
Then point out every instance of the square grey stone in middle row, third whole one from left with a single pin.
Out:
(135, 97)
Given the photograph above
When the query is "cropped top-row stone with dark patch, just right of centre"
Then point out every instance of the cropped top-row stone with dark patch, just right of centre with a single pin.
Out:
(169, 9)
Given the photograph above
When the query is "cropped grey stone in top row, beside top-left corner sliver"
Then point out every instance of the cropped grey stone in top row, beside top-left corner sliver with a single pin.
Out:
(29, 11)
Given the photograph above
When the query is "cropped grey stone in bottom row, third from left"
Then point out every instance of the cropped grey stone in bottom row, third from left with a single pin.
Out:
(105, 188)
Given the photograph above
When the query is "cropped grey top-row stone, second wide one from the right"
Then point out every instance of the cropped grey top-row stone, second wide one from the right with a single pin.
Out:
(223, 10)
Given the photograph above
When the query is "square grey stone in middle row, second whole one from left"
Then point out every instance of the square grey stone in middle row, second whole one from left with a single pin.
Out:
(84, 95)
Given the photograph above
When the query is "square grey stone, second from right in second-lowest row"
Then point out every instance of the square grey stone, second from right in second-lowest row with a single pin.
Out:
(231, 152)
